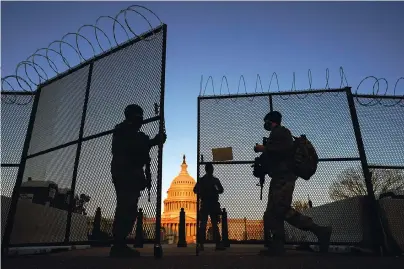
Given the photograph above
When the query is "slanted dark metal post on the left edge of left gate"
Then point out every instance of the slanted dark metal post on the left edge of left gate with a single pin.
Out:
(16, 191)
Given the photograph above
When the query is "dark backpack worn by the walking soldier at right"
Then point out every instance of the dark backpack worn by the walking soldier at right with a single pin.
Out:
(305, 157)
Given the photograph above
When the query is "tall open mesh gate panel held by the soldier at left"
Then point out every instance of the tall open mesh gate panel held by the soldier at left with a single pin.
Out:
(67, 149)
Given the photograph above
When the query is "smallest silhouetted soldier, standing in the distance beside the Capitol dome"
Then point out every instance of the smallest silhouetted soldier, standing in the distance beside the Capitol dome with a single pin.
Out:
(209, 188)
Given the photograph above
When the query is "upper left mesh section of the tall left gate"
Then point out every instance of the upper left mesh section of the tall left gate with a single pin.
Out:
(59, 111)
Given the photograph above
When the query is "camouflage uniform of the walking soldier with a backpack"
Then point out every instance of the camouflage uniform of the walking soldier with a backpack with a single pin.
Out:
(279, 148)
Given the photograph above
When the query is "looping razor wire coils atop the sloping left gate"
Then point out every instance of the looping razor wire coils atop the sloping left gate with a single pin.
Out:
(27, 83)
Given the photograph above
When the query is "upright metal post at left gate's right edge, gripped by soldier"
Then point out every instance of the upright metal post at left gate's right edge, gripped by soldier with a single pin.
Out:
(158, 251)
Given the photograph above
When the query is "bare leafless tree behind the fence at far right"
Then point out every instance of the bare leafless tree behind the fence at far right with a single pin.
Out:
(351, 183)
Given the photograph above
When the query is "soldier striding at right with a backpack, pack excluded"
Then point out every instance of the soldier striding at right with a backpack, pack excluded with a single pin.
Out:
(279, 150)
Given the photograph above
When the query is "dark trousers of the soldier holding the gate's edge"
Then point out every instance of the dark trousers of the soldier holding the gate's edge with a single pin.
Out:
(125, 212)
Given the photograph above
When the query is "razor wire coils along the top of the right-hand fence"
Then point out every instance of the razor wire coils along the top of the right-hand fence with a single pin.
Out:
(375, 96)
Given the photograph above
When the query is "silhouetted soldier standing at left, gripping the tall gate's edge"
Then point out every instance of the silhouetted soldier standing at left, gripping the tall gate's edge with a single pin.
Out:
(130, 153)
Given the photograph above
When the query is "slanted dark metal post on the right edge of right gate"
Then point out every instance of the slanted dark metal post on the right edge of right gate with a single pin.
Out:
(376, 217)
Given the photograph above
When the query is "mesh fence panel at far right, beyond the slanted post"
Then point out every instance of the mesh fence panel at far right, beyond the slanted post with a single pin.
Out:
(381, 121)
